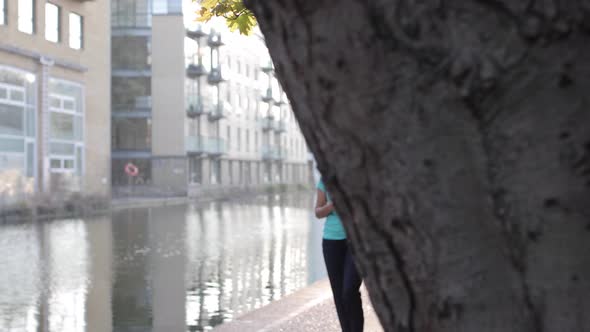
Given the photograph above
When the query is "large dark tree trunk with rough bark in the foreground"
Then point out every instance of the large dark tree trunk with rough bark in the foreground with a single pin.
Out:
(454, 137)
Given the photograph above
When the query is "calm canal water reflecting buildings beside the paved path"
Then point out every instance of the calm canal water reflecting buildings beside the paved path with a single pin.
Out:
(174, 268)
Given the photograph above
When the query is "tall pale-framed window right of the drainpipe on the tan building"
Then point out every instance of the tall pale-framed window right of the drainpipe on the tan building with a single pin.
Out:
(66, 127)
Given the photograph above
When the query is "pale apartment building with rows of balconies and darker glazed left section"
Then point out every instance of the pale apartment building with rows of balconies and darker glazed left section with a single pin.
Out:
(196, 108)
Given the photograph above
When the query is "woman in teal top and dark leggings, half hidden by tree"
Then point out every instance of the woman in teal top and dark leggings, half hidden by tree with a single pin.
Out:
(344, 278)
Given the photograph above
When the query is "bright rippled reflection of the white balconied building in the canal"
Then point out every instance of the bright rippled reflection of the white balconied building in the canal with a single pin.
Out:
(243, 256)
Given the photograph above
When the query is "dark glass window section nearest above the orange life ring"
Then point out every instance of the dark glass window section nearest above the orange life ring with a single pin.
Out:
(131, 134)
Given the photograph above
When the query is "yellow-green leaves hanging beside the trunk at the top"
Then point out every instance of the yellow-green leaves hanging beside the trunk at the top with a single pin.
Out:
(234, 12)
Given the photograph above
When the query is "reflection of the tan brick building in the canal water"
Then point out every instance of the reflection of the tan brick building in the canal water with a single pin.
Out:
(55, 276)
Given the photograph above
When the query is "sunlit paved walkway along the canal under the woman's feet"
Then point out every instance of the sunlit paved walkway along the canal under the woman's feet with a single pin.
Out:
(310, 309)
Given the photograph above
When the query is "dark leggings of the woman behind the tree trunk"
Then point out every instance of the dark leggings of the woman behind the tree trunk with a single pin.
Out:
(345, 282)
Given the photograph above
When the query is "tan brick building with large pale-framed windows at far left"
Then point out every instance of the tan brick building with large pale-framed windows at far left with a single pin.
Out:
(54, 97)
